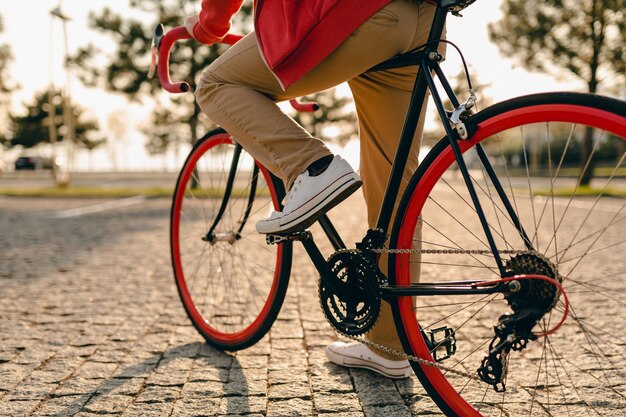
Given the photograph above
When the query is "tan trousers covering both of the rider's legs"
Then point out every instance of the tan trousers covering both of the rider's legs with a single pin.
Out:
(238, 92)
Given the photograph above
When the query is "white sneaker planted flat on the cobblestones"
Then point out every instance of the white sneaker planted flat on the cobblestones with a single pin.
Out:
(357, 355)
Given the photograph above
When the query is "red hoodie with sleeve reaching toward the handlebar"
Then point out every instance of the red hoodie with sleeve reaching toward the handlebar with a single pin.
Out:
(293, 35)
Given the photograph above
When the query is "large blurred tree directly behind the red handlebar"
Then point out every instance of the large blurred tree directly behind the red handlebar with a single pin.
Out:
(127, 68)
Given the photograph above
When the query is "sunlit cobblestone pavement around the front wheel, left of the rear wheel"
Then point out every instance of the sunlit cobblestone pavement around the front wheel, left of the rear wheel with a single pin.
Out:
(91, 324)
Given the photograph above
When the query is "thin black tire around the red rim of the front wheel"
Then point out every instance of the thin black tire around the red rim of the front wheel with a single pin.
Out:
(284, 274)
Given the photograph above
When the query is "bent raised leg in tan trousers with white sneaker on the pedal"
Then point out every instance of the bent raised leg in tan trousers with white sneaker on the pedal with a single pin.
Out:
(239, 93)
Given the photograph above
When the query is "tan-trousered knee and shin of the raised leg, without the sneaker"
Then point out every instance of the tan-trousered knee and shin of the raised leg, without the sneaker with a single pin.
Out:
(238, 92)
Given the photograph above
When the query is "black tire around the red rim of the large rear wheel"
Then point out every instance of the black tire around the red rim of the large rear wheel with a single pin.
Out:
(582, 99)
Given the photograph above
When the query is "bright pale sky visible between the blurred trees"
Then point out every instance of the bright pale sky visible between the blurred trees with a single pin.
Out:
(36, 41)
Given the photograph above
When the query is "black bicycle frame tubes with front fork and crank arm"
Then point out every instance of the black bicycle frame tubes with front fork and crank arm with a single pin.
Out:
(428, 59)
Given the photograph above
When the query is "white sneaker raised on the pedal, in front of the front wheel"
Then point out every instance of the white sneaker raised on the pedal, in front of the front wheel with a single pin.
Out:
(311, 197)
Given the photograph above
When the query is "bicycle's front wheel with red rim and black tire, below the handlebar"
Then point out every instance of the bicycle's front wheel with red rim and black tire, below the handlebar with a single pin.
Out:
(232, 284)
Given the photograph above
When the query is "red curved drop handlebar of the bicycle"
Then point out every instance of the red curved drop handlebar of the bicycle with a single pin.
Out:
(161, 46)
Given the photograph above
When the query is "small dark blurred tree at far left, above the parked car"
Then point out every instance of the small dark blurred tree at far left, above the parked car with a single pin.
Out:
(32, 129)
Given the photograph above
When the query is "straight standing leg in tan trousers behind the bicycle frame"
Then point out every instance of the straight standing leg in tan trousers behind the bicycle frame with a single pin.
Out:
(382, 100)
